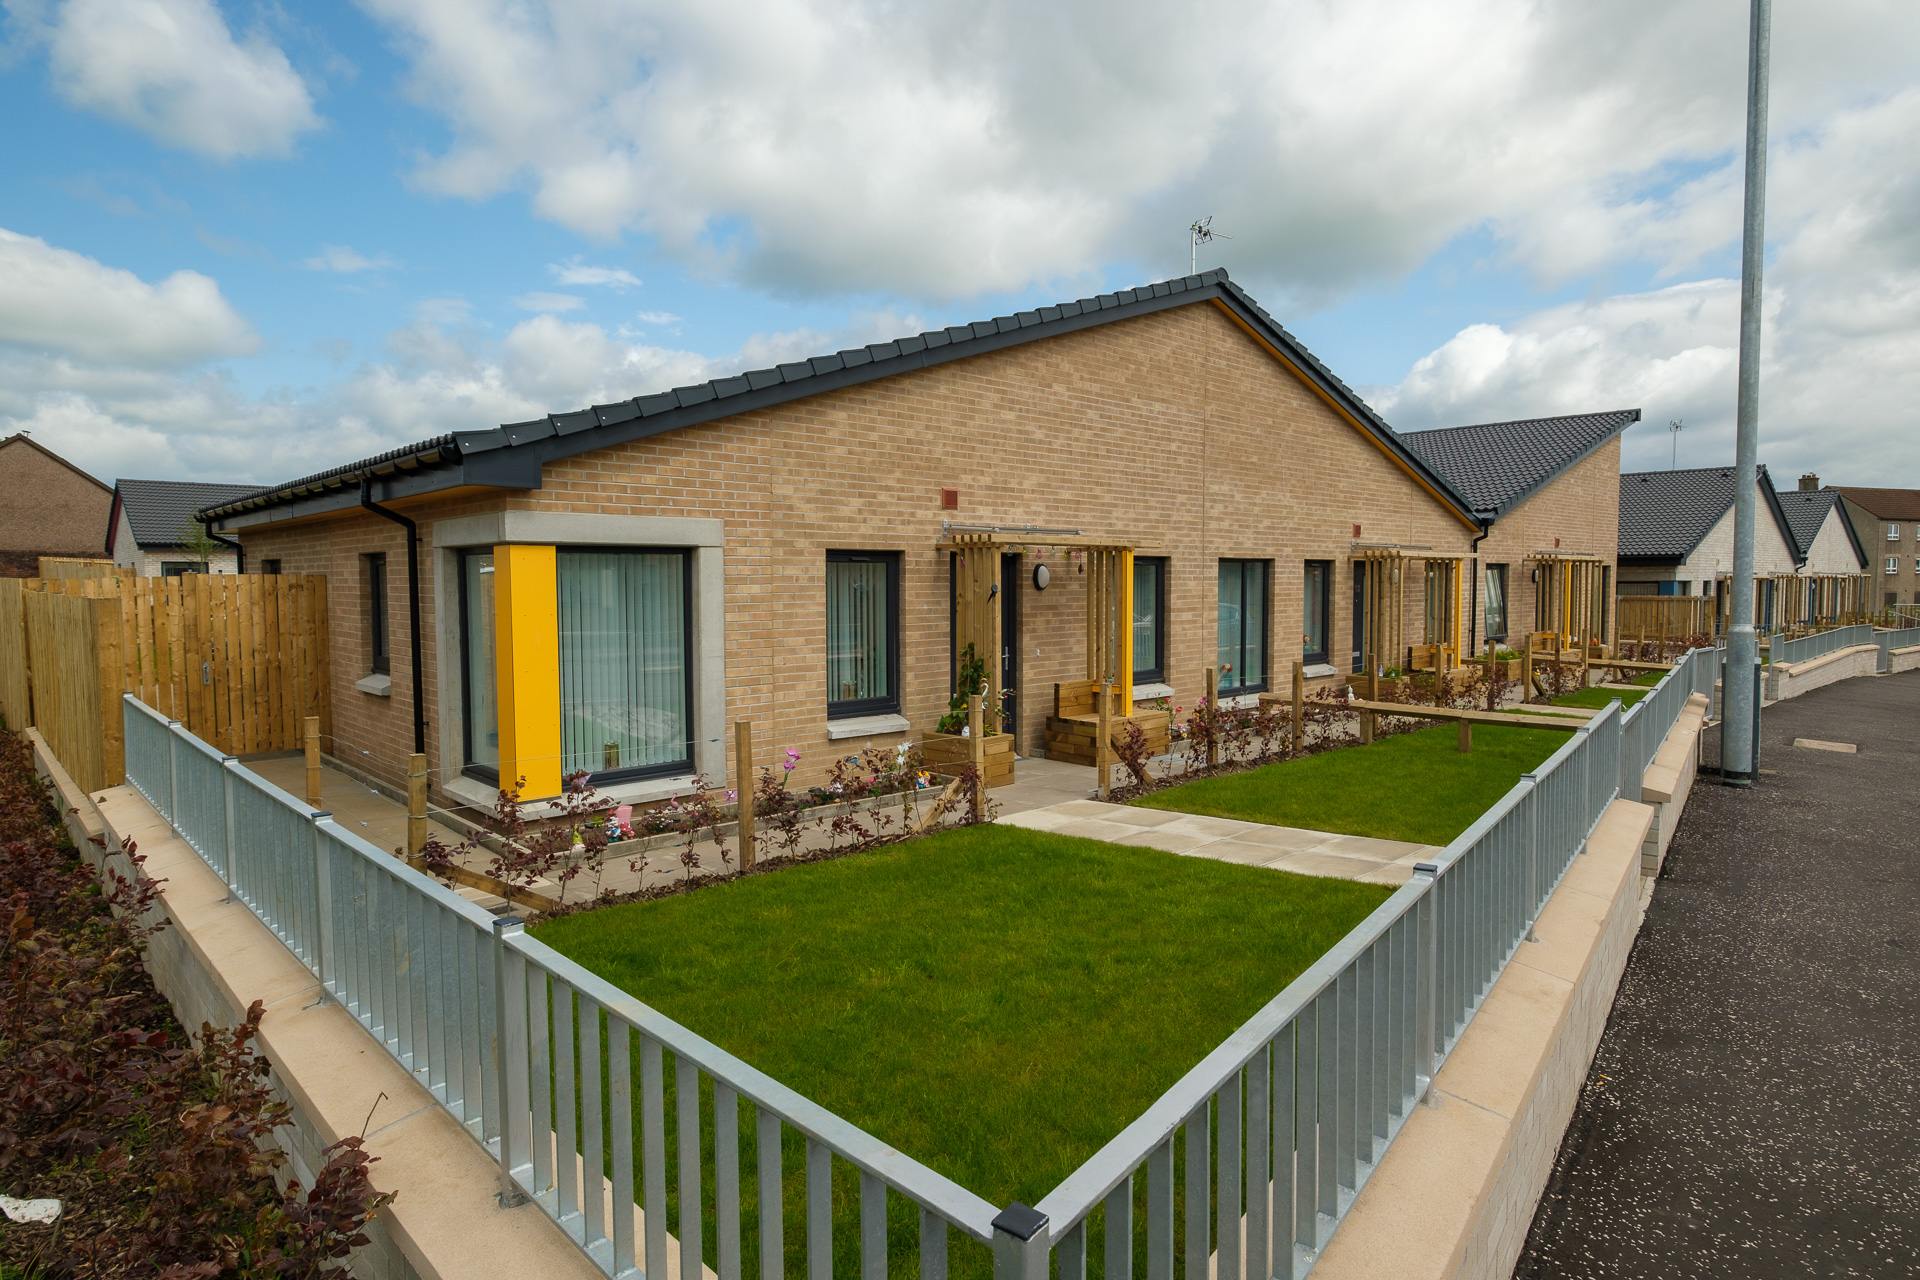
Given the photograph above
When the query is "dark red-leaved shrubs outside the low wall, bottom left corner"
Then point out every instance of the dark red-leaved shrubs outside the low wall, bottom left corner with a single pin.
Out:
(156, 1145)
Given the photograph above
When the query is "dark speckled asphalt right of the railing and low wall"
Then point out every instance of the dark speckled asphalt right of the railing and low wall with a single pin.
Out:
(1754, 1108)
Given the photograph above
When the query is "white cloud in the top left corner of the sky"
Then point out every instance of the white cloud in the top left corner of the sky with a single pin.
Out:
(174, 72)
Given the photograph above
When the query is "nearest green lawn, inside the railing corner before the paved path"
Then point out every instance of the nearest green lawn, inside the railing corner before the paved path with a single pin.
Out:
(996, 1003)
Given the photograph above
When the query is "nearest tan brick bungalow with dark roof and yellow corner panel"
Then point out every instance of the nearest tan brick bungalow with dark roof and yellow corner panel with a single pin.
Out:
(800, 548)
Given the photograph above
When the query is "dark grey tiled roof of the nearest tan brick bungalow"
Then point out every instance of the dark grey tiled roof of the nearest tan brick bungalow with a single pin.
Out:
(512, 456)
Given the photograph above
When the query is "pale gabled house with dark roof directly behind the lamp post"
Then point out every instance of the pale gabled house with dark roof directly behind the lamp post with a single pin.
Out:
(1677, 536)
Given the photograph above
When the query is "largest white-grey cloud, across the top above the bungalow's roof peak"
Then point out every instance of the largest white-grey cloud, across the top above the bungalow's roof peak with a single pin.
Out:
(980, 147)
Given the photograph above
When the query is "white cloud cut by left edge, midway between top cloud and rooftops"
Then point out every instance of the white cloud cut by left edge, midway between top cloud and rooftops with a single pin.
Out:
(66, 304)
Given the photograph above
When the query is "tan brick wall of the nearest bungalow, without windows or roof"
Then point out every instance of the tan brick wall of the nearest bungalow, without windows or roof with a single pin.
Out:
(1172, 431)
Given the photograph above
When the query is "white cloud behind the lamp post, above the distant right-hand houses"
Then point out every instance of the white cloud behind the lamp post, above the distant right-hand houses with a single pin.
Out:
(1840, 346)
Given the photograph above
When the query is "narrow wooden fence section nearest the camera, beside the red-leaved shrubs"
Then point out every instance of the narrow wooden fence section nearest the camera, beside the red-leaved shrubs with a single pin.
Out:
(78, 673)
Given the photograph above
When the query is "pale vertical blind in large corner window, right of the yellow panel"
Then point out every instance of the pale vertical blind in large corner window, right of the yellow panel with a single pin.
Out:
(623, 661)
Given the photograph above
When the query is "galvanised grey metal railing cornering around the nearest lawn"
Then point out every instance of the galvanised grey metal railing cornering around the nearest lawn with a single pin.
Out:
(1282, 1126)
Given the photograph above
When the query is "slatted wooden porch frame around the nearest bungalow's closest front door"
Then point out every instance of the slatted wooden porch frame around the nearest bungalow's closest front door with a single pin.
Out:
(978, 604)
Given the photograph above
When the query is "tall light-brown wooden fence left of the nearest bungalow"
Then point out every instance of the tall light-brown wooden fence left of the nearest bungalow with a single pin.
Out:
(239, 659)
